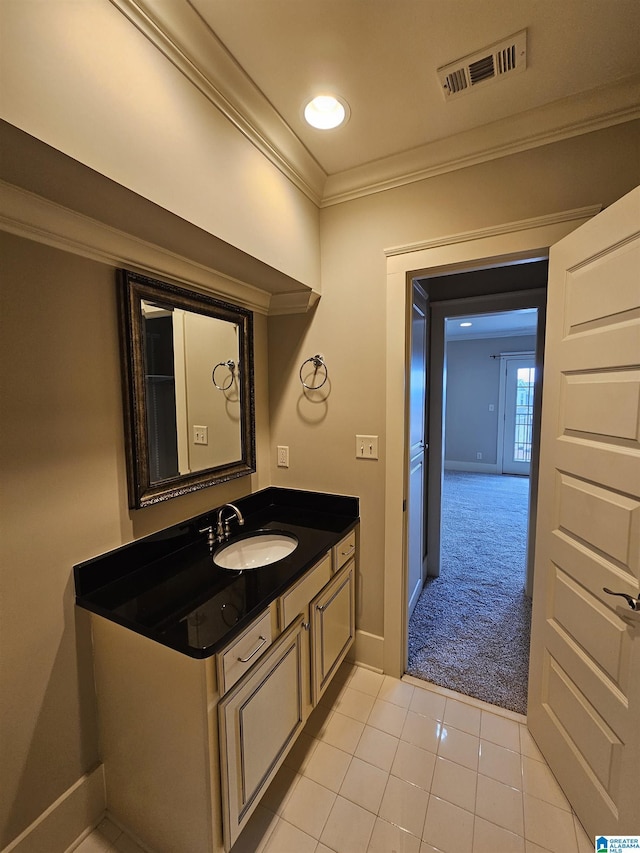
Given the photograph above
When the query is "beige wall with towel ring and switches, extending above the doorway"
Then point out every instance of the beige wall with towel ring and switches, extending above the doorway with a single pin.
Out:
(349, 324)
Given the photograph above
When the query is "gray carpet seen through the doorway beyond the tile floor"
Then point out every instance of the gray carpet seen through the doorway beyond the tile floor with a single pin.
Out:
(470, 628)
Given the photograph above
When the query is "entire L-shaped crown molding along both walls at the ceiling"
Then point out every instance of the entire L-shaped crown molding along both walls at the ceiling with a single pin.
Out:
(177, 30)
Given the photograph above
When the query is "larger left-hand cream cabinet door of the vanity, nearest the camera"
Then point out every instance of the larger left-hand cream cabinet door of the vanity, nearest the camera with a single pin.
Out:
(259, 720)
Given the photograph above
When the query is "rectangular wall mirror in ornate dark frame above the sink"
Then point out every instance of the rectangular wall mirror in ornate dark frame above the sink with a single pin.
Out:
(188, 389)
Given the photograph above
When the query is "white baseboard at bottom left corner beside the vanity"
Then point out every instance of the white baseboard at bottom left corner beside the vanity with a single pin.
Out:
(58, 828)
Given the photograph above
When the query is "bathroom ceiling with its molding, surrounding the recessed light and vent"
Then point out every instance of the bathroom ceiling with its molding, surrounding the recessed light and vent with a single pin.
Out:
(265, 58)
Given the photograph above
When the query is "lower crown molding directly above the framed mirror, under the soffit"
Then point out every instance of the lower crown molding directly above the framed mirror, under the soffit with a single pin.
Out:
(28, 215)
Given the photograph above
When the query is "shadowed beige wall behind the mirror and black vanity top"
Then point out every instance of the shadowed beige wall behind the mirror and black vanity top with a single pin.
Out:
(64, 500)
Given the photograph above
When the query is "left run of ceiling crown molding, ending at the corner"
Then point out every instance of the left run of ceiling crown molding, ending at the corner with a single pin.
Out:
(181, 35)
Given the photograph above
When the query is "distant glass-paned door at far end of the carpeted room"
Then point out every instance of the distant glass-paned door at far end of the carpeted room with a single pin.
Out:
(517, 437)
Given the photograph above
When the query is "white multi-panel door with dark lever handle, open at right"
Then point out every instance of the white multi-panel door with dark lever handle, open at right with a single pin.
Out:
(584, 680)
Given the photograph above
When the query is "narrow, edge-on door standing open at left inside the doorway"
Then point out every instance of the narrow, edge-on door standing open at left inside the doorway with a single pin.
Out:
(417, 447)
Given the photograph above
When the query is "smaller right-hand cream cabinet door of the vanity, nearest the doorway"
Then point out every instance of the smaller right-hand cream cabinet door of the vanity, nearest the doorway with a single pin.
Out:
(333, 629)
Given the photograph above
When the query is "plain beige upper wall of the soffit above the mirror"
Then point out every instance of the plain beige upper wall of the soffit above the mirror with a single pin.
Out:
(87, 82)
